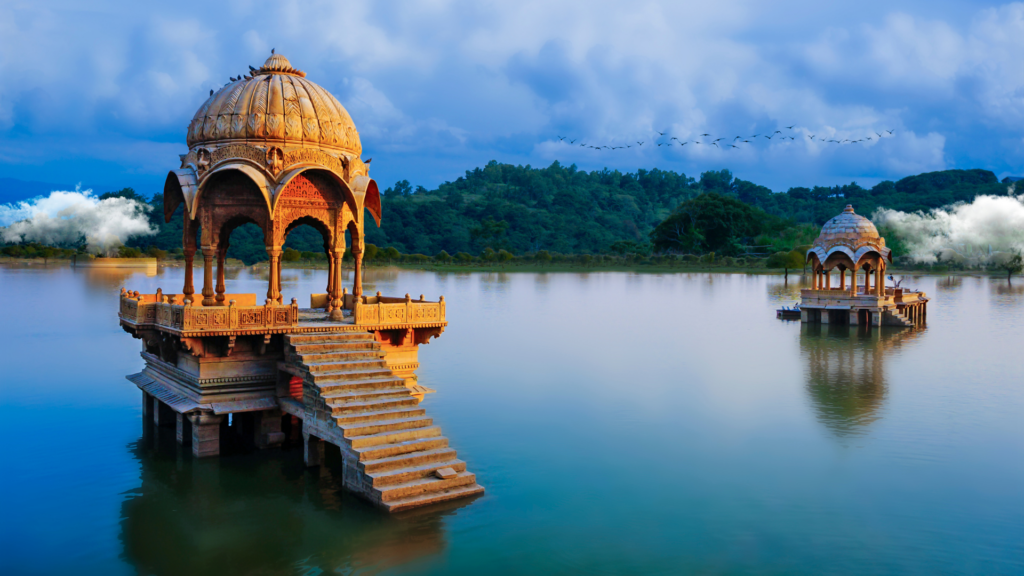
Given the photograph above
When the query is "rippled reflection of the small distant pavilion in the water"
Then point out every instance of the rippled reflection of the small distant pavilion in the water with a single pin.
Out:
(846, 378)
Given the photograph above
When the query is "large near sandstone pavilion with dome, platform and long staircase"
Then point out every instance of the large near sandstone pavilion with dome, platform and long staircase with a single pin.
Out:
(276, 150)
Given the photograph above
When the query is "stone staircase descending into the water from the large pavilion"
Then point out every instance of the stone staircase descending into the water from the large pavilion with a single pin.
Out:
(394, 454)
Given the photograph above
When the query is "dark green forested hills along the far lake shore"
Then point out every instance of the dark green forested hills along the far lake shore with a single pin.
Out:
(523, 211)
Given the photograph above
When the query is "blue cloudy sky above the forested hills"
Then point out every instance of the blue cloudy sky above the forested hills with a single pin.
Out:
(101, 93)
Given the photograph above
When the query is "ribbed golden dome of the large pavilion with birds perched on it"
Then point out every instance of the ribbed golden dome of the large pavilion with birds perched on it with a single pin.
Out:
(276, 105)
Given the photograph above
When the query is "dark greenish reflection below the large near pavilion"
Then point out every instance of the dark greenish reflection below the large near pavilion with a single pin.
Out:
(259, 515)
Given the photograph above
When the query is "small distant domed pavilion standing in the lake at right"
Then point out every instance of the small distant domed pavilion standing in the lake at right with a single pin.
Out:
(851, 243)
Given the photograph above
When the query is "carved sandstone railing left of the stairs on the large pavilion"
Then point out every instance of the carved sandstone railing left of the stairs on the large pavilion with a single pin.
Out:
(146, 310)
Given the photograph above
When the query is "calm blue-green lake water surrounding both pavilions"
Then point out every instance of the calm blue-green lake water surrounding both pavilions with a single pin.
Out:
(621, 424)
